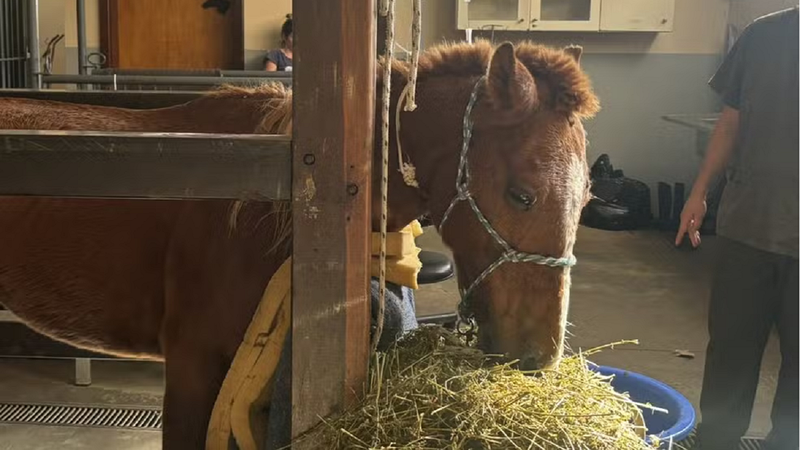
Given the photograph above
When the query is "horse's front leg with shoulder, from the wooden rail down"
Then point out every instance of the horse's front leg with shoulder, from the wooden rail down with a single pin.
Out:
(215, 280)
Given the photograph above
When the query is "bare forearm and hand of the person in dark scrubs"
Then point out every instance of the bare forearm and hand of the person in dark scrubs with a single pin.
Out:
(718, 154)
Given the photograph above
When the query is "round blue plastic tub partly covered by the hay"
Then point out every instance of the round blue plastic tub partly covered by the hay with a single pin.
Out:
(674, 426)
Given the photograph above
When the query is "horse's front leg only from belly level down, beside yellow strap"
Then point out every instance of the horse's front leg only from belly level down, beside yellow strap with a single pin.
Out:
(193, 378)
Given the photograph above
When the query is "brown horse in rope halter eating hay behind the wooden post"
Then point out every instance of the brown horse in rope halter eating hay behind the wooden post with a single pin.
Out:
(180, 280)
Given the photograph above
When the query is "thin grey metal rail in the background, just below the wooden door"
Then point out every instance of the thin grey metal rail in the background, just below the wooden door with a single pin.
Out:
(159, 80)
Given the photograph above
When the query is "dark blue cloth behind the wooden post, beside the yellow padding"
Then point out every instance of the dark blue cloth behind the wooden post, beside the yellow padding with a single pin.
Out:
(400, 318)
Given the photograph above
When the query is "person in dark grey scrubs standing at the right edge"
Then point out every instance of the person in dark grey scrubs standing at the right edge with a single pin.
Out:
(755, 283)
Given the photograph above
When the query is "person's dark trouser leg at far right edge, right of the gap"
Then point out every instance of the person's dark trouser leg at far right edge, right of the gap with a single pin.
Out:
(784, 435)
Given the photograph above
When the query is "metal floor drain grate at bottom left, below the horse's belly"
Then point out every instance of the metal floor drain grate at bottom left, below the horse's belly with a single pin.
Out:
(80, 416)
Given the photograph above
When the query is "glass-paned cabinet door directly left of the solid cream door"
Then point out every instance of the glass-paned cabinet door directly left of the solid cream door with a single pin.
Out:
(565, 15)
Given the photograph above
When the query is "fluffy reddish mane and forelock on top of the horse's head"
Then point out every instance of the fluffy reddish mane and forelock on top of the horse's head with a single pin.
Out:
(569, 86)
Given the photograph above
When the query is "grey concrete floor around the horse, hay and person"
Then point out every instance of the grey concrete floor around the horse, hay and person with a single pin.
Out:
(627, 285)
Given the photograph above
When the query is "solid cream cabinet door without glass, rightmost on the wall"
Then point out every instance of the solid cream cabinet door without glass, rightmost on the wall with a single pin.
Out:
(637, 15)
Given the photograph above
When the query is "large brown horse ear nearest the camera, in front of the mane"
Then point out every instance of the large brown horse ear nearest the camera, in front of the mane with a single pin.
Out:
(510, 85)
